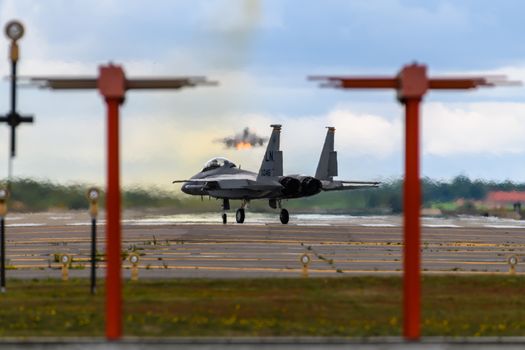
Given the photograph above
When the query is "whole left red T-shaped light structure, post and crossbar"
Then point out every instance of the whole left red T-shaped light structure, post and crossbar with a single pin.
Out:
(112, 84)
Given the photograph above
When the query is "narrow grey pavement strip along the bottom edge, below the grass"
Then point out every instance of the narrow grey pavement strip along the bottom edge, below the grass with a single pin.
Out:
(435, 343)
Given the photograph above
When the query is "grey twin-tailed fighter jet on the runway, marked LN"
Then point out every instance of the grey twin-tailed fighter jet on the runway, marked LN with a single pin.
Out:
(221, 179)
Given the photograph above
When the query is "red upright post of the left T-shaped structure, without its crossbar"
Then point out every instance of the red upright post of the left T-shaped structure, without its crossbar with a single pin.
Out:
(113, 273)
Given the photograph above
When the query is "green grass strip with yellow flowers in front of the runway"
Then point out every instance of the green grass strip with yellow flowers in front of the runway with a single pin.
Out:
(352, 306)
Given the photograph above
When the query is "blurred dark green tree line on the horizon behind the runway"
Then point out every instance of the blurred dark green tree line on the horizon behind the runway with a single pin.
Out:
(36, 195)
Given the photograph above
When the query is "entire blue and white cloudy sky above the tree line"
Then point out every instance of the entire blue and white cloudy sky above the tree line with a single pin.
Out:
(261, 53)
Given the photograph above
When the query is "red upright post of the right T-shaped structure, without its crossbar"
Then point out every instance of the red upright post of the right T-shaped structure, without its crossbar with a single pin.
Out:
(411, 209)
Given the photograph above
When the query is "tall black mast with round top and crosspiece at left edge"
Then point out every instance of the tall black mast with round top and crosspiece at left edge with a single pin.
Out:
(14, 31)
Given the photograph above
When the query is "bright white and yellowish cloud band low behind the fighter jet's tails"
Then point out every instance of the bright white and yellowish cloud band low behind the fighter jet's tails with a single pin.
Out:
(156, 148)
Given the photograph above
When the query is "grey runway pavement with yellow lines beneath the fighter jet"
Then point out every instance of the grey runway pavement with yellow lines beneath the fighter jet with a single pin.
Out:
(337, 245)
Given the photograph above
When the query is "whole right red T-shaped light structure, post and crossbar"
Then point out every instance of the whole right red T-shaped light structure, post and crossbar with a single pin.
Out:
(411, 84)
